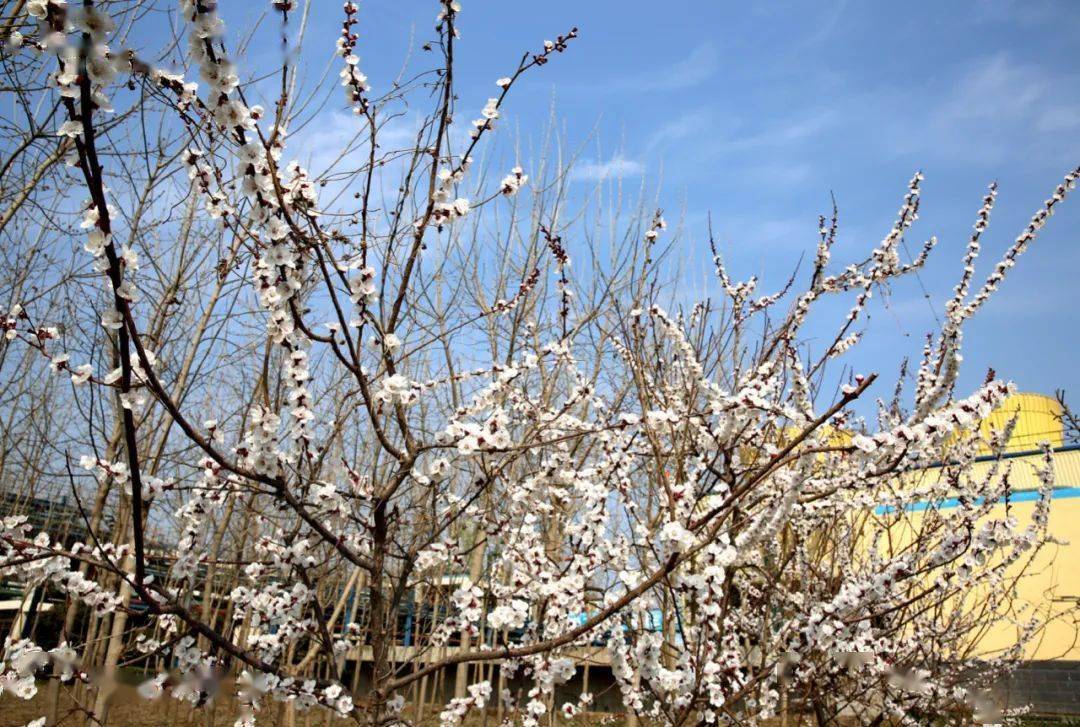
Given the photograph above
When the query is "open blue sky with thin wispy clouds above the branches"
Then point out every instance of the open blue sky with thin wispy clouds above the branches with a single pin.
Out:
(755, 113)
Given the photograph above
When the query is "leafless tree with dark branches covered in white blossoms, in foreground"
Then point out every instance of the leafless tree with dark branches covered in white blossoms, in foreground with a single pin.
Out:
(336, 395)
